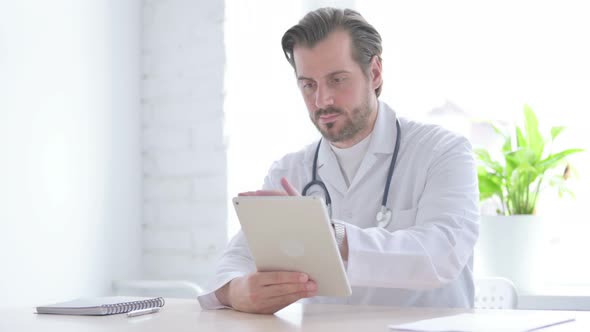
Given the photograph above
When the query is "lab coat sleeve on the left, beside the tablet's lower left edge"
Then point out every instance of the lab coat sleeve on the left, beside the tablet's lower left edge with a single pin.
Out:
(236, 261)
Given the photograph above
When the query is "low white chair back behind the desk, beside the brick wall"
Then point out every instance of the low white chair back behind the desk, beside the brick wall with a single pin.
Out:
(153, 288)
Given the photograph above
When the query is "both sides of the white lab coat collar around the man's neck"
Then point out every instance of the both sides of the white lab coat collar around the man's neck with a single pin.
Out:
(382, 142)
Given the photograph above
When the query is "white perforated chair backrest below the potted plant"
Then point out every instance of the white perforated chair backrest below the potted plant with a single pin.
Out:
(495, 293)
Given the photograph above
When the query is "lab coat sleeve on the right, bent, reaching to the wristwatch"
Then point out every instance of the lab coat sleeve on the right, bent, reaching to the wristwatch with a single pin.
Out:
(435, 249)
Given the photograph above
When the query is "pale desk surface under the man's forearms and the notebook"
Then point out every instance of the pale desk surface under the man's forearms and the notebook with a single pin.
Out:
(186, 315)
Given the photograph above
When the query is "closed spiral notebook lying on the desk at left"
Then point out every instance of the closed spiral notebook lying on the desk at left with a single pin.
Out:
(100, 306)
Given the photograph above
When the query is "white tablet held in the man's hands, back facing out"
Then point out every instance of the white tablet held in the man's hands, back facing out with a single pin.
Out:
(293, 233)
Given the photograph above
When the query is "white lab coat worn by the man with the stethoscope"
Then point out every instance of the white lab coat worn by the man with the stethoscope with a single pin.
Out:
(425, 255)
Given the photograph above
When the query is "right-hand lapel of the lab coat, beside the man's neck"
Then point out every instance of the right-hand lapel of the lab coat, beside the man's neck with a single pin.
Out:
(382, 142)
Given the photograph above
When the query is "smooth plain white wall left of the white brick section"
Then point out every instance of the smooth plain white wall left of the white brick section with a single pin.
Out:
(69, 148)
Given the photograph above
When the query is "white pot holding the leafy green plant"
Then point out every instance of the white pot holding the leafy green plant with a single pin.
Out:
(511, 247)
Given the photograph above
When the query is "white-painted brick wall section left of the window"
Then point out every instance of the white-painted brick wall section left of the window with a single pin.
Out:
(184, 154)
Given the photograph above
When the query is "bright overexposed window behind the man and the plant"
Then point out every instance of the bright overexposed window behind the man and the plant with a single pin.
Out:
(485, 59)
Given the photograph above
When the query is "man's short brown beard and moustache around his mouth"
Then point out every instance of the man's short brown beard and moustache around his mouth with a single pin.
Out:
(355, 122)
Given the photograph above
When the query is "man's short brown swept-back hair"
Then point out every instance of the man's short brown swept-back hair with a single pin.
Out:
(315, 26)
